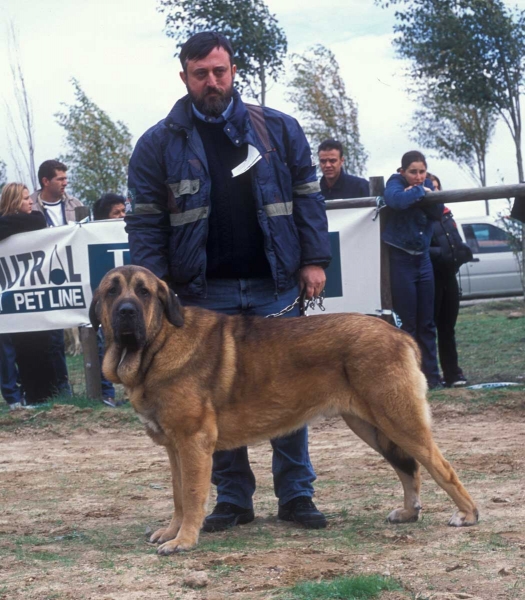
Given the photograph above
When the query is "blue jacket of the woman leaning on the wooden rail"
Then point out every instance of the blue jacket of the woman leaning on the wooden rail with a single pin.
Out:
(409, 225)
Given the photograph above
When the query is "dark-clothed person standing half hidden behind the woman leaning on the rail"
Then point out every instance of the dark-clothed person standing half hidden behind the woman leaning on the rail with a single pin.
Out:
(447, 253)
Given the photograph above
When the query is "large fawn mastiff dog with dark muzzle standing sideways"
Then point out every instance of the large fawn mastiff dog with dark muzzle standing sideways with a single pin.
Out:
(202, 381)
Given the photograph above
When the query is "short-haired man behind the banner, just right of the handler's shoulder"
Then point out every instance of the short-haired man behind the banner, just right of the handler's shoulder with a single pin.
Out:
(336, 184)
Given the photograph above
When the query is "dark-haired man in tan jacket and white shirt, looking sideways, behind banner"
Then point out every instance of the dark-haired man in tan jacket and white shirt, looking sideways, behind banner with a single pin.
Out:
(58, 209)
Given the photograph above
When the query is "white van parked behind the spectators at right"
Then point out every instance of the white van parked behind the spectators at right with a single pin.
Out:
(495, 270)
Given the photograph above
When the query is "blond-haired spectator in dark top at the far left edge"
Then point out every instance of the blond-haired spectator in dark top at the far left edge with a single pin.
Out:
(30, 351)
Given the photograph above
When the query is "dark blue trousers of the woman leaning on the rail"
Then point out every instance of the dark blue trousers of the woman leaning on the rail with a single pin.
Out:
(412, 285)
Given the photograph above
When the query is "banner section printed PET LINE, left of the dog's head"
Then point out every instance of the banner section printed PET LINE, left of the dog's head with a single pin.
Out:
(47, 276)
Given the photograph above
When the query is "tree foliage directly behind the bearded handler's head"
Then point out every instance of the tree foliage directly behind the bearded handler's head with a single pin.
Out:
(259, 43)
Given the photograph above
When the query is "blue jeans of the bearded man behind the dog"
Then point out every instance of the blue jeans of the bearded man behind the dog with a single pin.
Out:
(292, 470)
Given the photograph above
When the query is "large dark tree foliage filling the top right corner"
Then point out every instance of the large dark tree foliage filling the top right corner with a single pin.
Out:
(470, 52)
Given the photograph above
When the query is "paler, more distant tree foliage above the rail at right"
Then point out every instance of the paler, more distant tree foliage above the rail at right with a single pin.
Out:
(456, 132)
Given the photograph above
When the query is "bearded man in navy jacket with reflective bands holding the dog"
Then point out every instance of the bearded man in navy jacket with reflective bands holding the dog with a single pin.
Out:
(224, 205)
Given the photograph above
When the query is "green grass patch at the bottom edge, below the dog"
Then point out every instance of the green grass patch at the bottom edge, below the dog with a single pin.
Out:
(342, 588)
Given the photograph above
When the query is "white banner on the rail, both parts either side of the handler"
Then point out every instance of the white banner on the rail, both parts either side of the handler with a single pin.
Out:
(47, 277)
